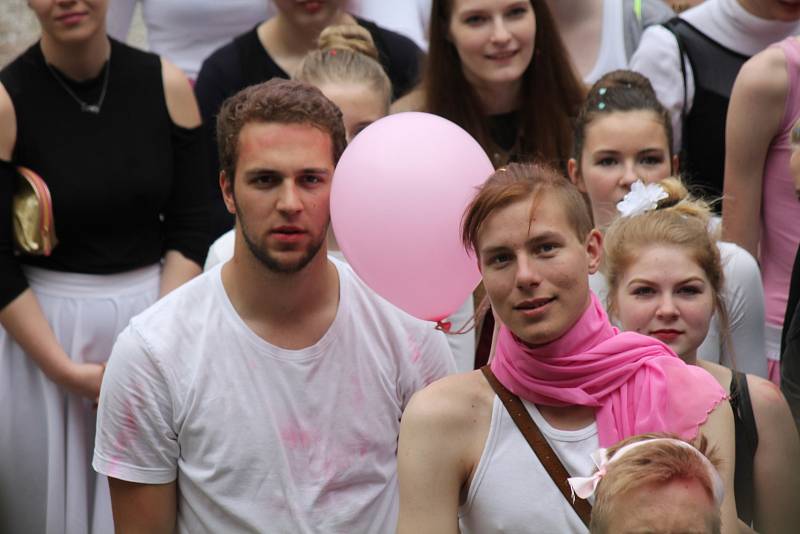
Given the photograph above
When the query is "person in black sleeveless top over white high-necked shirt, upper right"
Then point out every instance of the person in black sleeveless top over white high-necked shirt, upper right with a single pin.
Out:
(692, 62)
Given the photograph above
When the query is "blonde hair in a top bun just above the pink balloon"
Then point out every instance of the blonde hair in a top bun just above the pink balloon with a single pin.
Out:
(346, 54)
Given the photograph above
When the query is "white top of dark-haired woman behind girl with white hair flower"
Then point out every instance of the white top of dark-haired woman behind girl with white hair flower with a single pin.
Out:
(744, 297)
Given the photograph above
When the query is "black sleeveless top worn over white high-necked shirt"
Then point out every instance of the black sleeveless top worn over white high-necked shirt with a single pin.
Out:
(703, 142)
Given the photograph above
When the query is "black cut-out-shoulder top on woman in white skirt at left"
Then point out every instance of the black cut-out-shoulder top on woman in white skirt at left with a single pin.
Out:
(126, 183)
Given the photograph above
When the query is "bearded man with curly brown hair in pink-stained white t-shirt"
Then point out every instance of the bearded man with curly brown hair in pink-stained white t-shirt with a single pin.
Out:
(266, 395)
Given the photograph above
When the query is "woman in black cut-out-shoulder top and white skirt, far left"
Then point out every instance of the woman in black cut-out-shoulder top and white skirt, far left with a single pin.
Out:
(115, 134)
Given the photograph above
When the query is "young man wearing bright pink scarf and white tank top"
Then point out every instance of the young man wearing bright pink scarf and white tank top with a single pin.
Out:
(463, 463)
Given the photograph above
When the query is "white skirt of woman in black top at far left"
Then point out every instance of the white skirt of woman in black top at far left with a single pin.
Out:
(47, 484)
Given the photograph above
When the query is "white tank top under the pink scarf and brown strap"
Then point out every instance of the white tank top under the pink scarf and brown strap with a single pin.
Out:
(512, 492)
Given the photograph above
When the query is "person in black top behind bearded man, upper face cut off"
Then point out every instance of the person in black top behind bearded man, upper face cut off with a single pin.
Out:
(275, 48)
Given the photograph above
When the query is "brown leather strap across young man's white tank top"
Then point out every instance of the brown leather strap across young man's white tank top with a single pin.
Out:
(539, 444)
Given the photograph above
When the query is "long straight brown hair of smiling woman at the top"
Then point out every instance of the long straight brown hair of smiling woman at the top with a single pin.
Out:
(551, 92)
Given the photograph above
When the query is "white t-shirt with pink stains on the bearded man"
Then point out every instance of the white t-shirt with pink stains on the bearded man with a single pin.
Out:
(259, 438)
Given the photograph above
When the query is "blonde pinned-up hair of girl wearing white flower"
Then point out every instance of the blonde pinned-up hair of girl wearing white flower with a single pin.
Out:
(681, 220)
